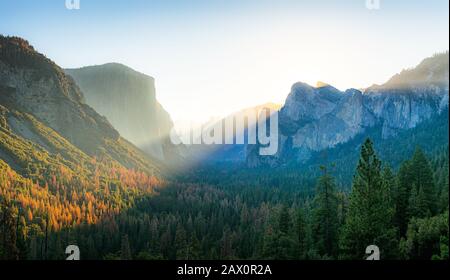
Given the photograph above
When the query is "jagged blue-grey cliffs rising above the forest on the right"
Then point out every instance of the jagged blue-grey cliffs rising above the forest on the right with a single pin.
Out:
(316, 118)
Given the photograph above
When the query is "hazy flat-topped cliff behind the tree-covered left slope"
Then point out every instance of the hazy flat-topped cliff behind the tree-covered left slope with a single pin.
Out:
(127, 99)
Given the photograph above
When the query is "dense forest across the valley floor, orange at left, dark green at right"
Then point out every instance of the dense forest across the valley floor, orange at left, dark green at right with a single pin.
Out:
(223, 214)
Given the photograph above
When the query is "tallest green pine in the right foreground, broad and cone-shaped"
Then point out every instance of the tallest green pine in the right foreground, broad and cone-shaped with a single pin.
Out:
(369, 218)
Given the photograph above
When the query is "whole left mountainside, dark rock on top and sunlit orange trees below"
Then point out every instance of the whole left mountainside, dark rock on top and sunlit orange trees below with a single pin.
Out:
(61, 163)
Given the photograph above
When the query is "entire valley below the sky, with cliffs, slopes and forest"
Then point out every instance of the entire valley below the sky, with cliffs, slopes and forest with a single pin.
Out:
(86, 159)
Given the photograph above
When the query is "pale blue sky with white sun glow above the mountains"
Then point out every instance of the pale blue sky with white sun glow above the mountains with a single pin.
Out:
(210, 58)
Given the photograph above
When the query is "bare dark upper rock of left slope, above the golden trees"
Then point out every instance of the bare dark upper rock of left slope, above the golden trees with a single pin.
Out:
(29, 82)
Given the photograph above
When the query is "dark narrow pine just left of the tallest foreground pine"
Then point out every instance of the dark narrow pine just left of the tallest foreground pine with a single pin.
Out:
(325, 216)
